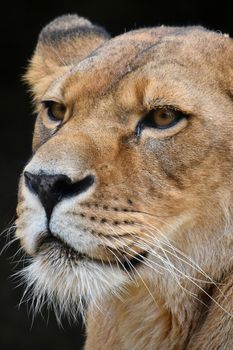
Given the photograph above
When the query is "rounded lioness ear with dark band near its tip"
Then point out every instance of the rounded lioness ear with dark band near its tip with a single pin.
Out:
(62, 43)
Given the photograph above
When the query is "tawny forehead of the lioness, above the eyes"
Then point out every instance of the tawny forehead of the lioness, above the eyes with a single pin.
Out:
(169, 51)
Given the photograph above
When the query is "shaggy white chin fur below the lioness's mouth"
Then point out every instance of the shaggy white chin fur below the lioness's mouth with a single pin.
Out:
(68, 286)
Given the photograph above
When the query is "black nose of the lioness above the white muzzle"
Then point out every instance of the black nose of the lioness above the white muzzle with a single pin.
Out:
(51, 189)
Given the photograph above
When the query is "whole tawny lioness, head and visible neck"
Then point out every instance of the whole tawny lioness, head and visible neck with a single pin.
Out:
(126, 205)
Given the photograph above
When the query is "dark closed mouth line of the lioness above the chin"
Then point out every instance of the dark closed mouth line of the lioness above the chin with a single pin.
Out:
(125, 263)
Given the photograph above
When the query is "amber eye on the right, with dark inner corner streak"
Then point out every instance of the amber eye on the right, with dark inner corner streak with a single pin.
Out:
(160, 118)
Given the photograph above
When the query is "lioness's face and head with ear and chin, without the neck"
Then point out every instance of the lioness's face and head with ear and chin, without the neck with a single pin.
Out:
(132, 149)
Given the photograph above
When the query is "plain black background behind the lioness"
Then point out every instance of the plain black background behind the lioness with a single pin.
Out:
(20, 24)
